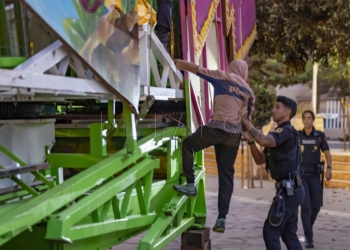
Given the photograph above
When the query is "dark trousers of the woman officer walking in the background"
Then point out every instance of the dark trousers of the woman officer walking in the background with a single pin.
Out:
(312, 203)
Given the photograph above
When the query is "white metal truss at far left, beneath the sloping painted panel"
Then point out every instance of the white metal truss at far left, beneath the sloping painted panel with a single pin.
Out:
(42, 78)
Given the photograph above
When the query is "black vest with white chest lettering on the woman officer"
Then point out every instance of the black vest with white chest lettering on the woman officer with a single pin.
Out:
(310, 148)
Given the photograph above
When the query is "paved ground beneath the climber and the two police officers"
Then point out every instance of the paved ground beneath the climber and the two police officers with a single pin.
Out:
(248, 211)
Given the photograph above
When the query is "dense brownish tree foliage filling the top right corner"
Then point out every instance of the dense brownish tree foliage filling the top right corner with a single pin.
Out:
(303, 31)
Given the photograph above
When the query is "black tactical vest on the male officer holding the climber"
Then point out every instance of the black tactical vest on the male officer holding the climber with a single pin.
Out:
(284, 165)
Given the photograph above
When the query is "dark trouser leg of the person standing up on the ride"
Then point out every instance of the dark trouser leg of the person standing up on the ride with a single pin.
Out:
(164, 20)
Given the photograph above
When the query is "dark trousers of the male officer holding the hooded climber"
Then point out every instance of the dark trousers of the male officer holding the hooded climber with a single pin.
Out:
(287, 230)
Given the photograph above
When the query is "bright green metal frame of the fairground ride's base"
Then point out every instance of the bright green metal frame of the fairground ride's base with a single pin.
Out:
(114, 197)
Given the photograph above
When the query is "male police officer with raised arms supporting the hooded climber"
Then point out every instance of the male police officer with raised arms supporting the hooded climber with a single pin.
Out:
(282, 157)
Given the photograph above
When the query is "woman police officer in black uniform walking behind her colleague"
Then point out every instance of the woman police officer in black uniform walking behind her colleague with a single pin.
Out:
(312, 142)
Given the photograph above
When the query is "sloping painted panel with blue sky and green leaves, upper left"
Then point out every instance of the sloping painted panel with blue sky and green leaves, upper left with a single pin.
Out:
(102, 32)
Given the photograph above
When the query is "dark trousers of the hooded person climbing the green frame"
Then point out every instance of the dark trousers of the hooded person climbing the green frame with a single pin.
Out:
(226, 147)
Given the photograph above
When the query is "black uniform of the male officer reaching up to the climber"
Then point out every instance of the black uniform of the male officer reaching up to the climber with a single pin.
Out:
(283, 164)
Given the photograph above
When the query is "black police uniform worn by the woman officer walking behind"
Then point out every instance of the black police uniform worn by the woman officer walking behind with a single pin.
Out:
(311, 146)
